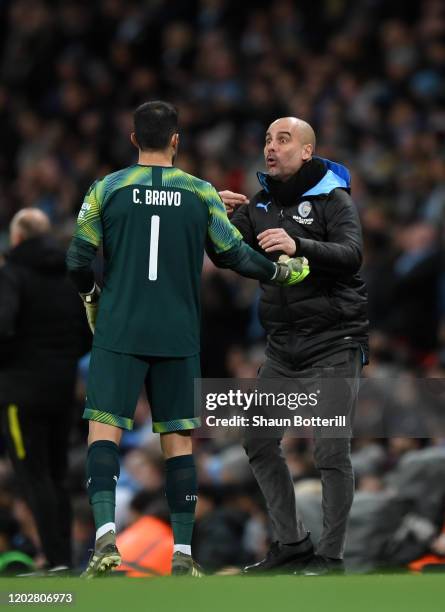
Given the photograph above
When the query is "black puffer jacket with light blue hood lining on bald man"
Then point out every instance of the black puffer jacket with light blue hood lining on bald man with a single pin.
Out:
(328, 310)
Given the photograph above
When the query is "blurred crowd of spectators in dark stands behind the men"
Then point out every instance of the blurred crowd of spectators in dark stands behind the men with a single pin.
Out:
(369, 76)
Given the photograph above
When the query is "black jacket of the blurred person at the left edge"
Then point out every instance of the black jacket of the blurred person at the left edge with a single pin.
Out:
(43, 329)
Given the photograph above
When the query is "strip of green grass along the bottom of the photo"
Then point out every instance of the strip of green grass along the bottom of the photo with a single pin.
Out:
(374, 593)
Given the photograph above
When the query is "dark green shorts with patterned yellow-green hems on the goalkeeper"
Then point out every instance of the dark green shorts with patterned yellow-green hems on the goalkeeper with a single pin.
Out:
(115, 382)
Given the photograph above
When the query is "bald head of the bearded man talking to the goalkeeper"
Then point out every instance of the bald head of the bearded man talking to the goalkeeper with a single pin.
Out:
(290, 143)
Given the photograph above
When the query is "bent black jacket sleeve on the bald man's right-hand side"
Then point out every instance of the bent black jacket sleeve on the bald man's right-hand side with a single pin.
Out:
(342, 249)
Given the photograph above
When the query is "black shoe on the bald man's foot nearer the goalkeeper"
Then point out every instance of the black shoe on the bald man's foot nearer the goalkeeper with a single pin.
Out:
(283, 558)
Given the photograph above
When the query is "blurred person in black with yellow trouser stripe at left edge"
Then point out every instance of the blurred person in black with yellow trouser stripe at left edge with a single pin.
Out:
(41, 338)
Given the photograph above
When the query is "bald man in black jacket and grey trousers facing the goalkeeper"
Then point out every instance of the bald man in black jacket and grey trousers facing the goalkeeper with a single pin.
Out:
(316, 329)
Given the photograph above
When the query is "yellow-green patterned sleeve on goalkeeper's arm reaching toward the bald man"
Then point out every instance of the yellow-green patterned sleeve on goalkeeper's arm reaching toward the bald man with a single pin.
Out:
(222, 235)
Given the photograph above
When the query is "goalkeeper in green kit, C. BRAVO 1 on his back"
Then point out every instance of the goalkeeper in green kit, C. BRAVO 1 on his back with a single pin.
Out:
(153, 221)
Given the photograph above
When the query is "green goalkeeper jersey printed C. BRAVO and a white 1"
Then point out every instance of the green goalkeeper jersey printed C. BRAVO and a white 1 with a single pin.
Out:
(153, 223)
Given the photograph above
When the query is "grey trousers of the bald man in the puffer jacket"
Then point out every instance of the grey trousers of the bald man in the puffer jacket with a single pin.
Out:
(331, 456)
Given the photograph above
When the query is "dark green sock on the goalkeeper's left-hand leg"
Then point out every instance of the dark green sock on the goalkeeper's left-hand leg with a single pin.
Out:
(102, 474)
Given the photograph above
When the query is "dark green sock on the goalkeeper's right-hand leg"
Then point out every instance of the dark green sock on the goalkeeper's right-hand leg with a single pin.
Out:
(181, 489)
